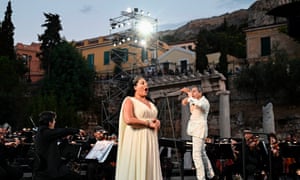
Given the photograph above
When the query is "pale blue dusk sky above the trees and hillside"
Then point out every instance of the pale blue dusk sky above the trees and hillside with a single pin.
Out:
(84, 19)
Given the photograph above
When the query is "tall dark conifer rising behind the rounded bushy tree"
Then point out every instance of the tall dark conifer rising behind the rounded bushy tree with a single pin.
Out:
(50, 39)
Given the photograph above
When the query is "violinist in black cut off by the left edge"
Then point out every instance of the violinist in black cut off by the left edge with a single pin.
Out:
(7, 149)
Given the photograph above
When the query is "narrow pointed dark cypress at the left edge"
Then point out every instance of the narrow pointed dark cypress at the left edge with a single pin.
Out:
(6, 35)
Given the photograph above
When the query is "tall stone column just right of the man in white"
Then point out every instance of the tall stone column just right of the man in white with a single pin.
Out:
(224, 114)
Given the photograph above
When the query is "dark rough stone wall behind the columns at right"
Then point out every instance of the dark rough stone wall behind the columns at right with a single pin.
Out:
(246, 112)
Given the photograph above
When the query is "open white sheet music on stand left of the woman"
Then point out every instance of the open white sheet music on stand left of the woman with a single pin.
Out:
(100, 151)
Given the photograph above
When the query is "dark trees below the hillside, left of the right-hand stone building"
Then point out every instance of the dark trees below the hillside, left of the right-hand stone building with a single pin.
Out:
(224, 39)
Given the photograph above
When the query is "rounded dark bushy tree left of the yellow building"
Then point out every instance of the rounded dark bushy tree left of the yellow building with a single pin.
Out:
(70, 78)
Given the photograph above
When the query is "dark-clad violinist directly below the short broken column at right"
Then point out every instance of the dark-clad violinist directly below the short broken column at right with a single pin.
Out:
(276, 160)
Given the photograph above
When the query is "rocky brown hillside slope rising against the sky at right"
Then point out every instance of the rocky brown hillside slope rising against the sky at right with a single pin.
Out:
(254, 16)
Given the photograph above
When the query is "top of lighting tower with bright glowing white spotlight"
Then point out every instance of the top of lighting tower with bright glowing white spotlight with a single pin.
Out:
(133, 25)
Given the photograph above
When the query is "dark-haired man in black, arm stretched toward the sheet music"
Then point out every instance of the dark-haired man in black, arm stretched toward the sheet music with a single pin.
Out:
(50, 164)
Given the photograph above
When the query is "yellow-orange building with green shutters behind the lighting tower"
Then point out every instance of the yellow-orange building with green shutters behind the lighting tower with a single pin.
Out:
(105, 56)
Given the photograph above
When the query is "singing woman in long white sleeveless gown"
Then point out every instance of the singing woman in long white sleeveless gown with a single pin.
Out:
(138, 150)
